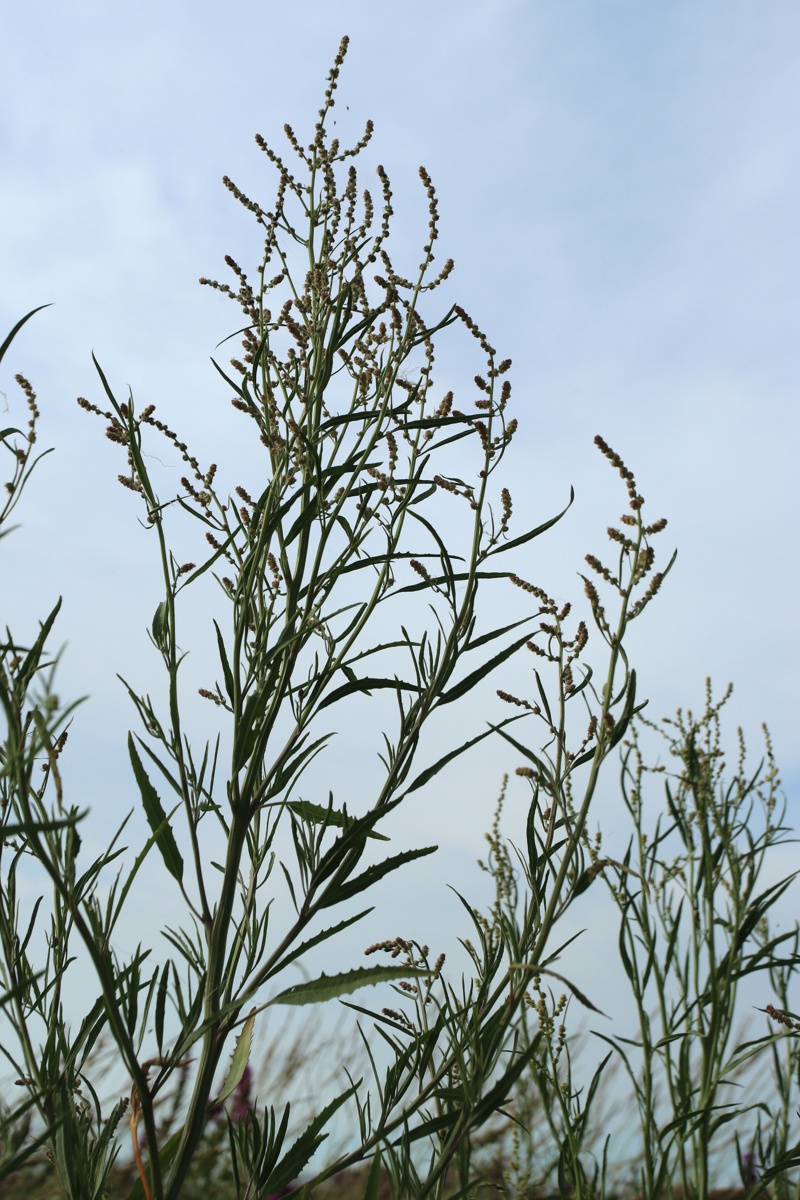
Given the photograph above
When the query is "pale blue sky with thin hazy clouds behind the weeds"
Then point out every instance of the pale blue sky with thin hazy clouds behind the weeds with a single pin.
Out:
(618, 185)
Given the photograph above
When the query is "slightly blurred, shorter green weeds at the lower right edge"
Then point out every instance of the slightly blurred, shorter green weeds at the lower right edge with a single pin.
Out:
(694, 923)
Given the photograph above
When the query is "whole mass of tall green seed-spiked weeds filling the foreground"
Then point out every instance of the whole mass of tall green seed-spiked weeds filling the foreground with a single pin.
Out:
(341, 572)
